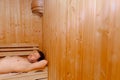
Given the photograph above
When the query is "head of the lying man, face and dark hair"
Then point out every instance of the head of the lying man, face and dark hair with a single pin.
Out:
(36, 56)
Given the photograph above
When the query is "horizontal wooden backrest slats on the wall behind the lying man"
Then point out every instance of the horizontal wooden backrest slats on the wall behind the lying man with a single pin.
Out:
(17, 49)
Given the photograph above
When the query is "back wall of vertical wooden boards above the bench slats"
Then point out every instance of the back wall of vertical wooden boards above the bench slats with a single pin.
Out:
(18, 24)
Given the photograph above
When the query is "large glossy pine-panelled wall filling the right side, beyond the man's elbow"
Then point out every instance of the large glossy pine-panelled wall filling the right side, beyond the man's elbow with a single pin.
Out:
(82, 39)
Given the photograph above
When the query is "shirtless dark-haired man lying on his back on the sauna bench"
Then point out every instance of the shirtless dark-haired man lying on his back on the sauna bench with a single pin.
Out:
(35, 60)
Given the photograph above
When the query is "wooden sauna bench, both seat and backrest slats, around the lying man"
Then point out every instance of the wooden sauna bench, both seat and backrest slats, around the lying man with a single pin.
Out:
(21, 49)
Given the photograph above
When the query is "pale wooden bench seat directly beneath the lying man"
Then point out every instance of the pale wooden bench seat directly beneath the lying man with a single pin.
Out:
(32, 75)
